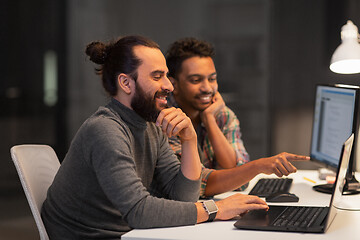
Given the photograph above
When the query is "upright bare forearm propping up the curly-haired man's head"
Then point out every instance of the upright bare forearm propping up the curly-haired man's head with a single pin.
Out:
(223, 150)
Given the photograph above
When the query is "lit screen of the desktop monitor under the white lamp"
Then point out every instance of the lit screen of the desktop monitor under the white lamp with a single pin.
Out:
(334, 117)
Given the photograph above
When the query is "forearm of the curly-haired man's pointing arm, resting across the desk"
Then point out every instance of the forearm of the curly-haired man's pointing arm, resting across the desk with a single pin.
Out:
(225, 180)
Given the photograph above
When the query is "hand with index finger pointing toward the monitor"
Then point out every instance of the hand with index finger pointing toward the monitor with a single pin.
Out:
(279, 164)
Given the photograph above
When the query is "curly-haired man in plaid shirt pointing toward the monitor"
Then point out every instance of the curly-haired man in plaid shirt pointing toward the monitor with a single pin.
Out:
(194, 77)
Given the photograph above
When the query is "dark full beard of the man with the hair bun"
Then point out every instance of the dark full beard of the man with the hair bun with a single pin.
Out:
(145, 105)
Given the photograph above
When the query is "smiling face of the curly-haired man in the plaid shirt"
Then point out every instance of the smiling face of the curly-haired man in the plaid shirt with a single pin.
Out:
(196, 84)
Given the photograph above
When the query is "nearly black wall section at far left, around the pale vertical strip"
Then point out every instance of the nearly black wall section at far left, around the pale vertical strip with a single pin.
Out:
(29, 30)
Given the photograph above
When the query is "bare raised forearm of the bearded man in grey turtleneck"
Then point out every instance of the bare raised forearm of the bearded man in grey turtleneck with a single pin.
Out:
(190, 161)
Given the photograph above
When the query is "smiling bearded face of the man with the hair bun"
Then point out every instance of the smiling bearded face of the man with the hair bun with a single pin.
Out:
(152, 85)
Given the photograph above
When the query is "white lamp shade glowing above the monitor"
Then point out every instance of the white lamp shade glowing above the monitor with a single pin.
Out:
(346, 58)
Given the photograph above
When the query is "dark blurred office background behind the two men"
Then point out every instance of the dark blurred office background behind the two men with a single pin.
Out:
(270, 55)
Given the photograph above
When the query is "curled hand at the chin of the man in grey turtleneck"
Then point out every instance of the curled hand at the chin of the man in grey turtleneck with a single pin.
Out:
(173, 121)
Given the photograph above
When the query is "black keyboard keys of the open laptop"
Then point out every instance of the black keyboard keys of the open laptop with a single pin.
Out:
(299, 216)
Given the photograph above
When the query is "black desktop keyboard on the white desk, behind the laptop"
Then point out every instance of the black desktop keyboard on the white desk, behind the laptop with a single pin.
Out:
(266, 186)
